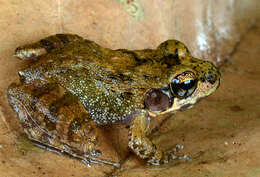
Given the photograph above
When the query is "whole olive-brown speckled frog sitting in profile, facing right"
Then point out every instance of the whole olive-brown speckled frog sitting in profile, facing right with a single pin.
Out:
(71, 87)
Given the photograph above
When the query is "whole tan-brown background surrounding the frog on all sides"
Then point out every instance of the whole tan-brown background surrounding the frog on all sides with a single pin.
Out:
(221, 134)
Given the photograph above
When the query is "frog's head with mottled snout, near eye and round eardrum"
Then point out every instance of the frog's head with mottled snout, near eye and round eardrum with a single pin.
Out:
(187, 83)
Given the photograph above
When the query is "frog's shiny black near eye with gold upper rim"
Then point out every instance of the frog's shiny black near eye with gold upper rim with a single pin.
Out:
(184, 84)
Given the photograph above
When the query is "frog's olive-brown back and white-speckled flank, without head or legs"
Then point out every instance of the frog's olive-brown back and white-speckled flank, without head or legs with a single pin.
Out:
(109, 93)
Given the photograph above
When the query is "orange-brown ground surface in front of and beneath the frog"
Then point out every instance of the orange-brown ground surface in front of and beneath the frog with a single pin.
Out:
(221, 134)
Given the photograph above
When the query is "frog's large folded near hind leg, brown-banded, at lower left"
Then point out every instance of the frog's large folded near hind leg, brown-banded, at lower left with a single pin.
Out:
(56, 121)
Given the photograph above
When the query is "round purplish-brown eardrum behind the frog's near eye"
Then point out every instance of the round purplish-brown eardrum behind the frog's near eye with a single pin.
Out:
(156, 100)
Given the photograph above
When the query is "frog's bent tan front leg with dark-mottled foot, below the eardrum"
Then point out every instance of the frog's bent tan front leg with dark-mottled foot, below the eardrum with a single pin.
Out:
(143, 146)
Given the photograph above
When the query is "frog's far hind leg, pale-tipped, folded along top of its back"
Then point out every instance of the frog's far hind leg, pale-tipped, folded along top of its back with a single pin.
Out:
(45, 45)
